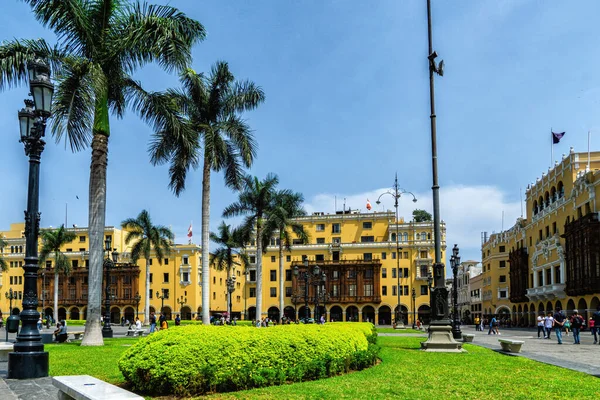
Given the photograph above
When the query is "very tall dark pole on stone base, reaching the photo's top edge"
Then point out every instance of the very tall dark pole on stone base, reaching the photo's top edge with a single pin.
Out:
(440, 336)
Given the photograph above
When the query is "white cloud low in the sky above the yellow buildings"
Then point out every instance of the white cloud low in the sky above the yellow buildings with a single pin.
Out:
(466, 210)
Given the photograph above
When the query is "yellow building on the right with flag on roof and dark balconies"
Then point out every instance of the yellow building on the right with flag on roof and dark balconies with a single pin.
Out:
(553, 254)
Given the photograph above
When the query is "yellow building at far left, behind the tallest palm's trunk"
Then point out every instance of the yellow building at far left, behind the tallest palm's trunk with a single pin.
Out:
(178, 279)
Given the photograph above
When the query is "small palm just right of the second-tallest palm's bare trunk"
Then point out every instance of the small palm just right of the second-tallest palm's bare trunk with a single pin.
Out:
(227, 257)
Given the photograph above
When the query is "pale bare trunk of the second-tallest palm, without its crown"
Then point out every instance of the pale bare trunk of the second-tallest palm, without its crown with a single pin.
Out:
(205, 241)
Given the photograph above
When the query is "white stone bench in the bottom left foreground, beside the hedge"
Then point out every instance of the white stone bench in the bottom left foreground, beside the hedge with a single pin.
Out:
(85, 387)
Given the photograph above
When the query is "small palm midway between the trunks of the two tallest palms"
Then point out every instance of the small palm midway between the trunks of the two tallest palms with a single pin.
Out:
(147, 237)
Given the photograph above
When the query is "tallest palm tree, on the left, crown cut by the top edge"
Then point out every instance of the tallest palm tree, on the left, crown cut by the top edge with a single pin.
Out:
(100, 45)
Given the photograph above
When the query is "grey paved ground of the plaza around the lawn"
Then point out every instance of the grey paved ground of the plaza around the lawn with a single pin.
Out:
(542, 350)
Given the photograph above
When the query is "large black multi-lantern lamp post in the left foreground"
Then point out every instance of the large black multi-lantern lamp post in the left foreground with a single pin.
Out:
(29, 360)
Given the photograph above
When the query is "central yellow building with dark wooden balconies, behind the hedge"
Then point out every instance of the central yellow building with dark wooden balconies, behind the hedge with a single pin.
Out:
(357, 253)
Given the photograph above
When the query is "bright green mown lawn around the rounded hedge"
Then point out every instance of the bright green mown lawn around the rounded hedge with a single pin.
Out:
(404, 372)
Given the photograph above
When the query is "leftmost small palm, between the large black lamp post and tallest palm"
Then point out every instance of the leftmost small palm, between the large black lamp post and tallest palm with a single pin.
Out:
(52, 241)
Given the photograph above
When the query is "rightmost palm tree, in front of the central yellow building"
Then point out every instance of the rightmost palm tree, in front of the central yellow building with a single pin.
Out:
(287, 206)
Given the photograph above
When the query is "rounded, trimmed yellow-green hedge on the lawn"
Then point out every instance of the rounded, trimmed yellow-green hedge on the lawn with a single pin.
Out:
(194, 360)
